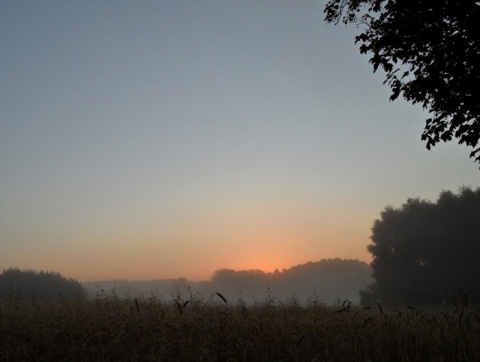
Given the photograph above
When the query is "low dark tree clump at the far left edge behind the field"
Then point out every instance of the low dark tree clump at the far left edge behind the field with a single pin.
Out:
(42, 285)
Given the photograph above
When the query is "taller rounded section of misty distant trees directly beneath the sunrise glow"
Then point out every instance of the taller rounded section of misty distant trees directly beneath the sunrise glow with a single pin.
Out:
(328, 281)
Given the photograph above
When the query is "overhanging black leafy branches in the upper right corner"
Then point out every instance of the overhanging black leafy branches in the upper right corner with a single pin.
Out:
(430, 51)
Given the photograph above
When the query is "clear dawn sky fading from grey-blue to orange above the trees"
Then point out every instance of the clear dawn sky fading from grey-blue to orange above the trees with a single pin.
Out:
(166, 139)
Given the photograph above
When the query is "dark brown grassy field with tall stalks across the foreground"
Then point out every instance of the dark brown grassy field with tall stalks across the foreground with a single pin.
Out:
(108, 328)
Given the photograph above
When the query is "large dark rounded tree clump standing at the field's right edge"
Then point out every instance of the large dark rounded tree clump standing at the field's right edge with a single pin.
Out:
(425, 252)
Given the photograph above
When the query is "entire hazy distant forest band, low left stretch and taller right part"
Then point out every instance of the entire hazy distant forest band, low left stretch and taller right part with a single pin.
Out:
(328, 281)
